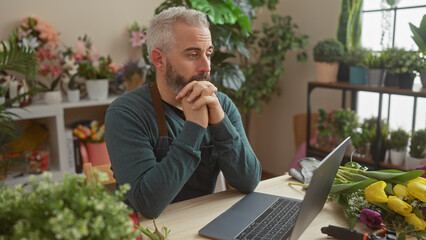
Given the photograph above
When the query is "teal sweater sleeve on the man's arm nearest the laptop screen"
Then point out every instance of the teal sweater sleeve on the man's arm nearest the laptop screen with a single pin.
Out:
(236, 158)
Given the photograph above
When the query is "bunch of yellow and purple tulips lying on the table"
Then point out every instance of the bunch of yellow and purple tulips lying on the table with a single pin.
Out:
(388, 196)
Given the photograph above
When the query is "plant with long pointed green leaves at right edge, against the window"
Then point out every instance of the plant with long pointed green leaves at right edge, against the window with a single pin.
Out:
(419, 37)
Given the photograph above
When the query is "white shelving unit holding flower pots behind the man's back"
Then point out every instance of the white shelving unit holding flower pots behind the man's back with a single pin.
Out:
(57, 118)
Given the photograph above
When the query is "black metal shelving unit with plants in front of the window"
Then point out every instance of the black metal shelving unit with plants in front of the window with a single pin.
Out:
(374, 160)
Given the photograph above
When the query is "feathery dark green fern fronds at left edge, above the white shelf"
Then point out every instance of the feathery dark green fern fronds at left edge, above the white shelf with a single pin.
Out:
(18, 59)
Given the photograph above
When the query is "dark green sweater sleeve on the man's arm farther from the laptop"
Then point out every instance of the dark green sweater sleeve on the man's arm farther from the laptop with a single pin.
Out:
(153, 184)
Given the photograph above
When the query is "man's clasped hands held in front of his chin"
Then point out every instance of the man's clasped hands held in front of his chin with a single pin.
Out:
(200, 104)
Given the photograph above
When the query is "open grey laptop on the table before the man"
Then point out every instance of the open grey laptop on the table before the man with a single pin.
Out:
(265, 216)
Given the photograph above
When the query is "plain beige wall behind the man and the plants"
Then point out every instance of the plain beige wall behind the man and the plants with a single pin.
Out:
(106, 21)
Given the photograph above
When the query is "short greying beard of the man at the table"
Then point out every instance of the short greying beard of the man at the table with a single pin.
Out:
(177, 82)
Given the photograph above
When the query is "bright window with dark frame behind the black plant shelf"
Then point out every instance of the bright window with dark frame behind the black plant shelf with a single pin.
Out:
(383, 27)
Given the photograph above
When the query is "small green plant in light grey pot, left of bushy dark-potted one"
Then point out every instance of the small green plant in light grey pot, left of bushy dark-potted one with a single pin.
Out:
(376, 72)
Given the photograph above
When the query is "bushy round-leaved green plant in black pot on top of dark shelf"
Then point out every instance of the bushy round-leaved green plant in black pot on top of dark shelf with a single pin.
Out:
(401, 65)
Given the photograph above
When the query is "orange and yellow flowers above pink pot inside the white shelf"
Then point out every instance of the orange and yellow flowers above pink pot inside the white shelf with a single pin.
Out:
(93, 133)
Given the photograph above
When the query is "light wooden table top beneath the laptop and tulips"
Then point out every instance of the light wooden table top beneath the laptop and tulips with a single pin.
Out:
(186, 218)
